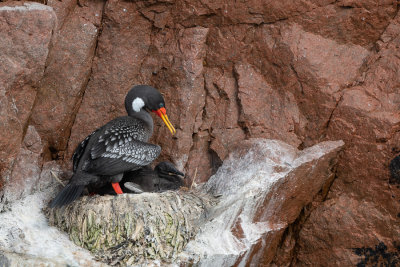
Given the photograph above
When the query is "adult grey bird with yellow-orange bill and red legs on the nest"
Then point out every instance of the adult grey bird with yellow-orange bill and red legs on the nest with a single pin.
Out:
(118, 146)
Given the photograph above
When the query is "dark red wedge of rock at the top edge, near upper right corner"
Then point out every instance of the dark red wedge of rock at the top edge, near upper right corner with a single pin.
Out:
(349, 21)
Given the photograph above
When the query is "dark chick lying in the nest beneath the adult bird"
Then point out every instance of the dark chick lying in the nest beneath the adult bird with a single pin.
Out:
(163, 177)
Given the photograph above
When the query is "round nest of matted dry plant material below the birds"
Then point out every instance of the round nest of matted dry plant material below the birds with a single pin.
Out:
(134, 228)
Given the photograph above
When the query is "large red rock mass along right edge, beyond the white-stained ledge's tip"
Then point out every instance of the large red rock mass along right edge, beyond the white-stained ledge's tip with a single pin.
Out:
(362, 208)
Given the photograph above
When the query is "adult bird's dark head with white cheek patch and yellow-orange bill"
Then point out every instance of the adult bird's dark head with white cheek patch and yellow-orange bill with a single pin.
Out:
(147, 98)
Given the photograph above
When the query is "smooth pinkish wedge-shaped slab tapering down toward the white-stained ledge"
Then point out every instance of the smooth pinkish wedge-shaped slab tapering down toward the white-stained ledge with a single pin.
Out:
(323, 67)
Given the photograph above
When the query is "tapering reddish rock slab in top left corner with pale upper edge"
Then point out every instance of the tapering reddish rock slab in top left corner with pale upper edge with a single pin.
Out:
(26, 30)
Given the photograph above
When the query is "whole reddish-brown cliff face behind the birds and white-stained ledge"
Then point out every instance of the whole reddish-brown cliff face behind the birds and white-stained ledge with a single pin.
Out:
(298, 71)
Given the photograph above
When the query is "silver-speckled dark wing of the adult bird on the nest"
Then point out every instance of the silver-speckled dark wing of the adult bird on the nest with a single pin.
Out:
(116, 151)
